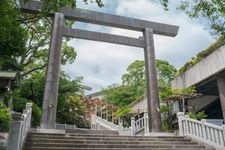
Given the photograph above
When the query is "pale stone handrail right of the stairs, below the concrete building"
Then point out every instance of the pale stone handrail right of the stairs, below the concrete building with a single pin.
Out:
(202, 131)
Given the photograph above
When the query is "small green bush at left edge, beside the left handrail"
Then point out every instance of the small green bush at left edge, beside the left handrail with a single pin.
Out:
(5, 118)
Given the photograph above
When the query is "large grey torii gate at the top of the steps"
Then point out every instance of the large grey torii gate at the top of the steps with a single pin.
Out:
(59, 31)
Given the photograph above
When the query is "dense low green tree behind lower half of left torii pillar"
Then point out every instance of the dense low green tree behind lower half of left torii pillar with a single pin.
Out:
(69, 105)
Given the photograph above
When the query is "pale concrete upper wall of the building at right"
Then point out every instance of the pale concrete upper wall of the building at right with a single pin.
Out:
(208, 67)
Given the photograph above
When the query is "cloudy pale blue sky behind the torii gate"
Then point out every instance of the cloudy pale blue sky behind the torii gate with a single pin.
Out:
(102, 64)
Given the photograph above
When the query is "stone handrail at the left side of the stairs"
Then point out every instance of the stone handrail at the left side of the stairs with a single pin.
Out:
(19, 128)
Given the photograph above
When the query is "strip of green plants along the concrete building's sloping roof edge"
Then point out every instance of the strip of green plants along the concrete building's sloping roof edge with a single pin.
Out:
(203, 54)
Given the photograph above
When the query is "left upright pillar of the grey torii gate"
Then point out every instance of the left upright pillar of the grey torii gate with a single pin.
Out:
(49, 105)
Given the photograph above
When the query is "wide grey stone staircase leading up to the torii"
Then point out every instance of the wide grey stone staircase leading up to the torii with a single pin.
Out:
(110, 140)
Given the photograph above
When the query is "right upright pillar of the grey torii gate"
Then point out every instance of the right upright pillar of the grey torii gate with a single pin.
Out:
(154, 117)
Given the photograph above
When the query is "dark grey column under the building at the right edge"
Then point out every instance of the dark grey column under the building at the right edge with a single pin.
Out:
(221, 88)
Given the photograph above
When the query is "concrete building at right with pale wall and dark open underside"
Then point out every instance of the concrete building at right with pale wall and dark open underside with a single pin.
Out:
(208, 76)
